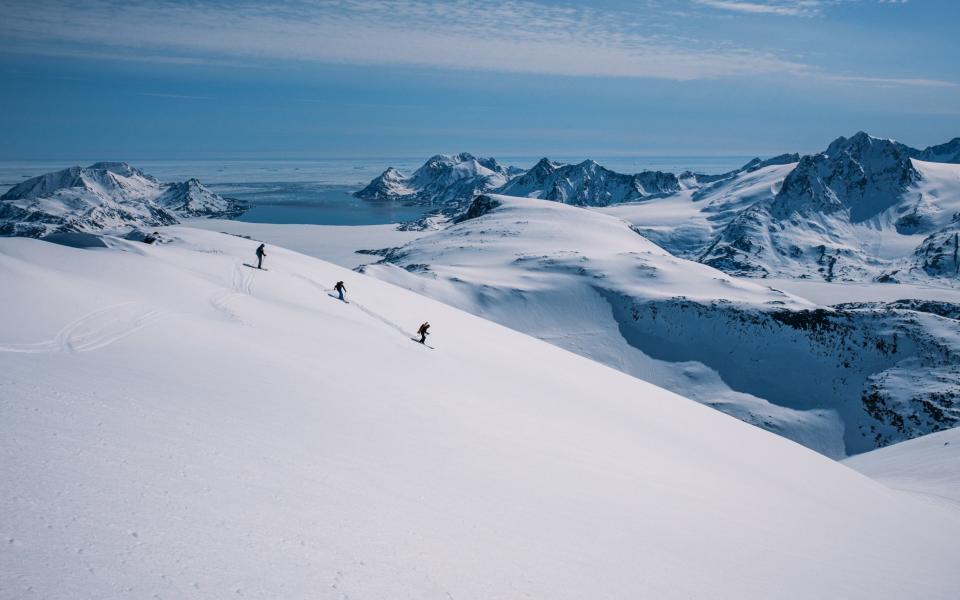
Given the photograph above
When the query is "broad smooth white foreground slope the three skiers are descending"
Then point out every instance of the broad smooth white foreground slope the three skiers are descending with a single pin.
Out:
(176, 424)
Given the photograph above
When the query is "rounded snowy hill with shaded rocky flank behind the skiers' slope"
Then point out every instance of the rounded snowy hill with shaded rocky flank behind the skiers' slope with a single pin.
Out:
(839, 380)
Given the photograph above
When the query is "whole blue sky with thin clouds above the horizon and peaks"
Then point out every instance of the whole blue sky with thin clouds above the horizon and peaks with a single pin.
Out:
(391, 78)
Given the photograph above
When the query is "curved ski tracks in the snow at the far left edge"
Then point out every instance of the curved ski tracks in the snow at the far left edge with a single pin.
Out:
(94, 330)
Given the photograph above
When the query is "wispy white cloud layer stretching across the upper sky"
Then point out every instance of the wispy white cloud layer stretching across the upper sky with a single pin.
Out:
(513, 36)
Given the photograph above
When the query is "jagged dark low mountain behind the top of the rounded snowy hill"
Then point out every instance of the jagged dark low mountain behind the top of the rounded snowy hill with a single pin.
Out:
(588, 184)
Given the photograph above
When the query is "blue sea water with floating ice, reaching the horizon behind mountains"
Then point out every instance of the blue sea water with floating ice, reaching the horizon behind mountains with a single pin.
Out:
(319, 191)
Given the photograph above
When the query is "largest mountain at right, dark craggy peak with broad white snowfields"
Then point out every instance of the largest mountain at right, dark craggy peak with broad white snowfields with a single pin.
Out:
(861, 210)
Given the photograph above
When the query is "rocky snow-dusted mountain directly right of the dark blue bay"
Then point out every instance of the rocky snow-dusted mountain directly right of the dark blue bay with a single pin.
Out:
(441, 180)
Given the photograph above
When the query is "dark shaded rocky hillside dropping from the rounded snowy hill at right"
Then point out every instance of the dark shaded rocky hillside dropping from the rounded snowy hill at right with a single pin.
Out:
(887, 368)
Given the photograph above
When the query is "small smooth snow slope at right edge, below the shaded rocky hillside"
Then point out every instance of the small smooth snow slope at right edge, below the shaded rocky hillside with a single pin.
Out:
(928, 466)
